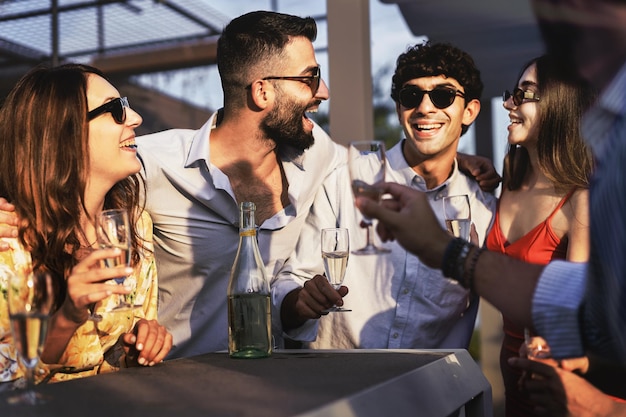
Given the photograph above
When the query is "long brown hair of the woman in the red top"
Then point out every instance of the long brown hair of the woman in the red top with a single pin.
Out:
(563, 155)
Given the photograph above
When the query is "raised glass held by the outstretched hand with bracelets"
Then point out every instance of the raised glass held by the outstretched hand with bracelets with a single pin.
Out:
(367, 168)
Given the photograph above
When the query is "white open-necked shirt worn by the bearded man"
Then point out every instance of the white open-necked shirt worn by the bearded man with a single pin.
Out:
(196, 232)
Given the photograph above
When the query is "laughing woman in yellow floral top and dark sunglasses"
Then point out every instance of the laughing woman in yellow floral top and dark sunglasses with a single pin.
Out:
(67, 152)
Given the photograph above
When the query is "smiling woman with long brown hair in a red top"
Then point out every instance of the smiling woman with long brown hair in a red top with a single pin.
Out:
(543, 209)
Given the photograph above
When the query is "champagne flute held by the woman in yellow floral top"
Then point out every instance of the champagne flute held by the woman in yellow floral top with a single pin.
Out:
(113, 231)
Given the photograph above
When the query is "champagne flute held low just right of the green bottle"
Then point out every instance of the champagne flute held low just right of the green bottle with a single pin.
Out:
(335, 253)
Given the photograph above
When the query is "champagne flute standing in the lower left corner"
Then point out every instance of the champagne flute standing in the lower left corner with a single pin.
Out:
(30, 300)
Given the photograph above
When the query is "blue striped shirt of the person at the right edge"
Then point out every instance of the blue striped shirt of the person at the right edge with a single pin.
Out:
(578, 307)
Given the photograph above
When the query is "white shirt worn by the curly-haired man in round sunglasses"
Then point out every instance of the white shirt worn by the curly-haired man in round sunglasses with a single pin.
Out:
(396, 301)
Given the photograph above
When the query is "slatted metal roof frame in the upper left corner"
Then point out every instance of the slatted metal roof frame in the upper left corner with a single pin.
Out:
(120, 36)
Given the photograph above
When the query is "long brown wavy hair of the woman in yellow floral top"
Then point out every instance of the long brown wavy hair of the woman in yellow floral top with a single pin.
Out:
(44, 160)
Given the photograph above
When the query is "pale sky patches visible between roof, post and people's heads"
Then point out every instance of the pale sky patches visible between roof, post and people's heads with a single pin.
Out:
(390, 37)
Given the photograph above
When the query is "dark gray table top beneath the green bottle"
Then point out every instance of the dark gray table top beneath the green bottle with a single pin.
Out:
(288, 383)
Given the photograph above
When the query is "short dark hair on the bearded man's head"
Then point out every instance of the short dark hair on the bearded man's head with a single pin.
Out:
(254, 42)
